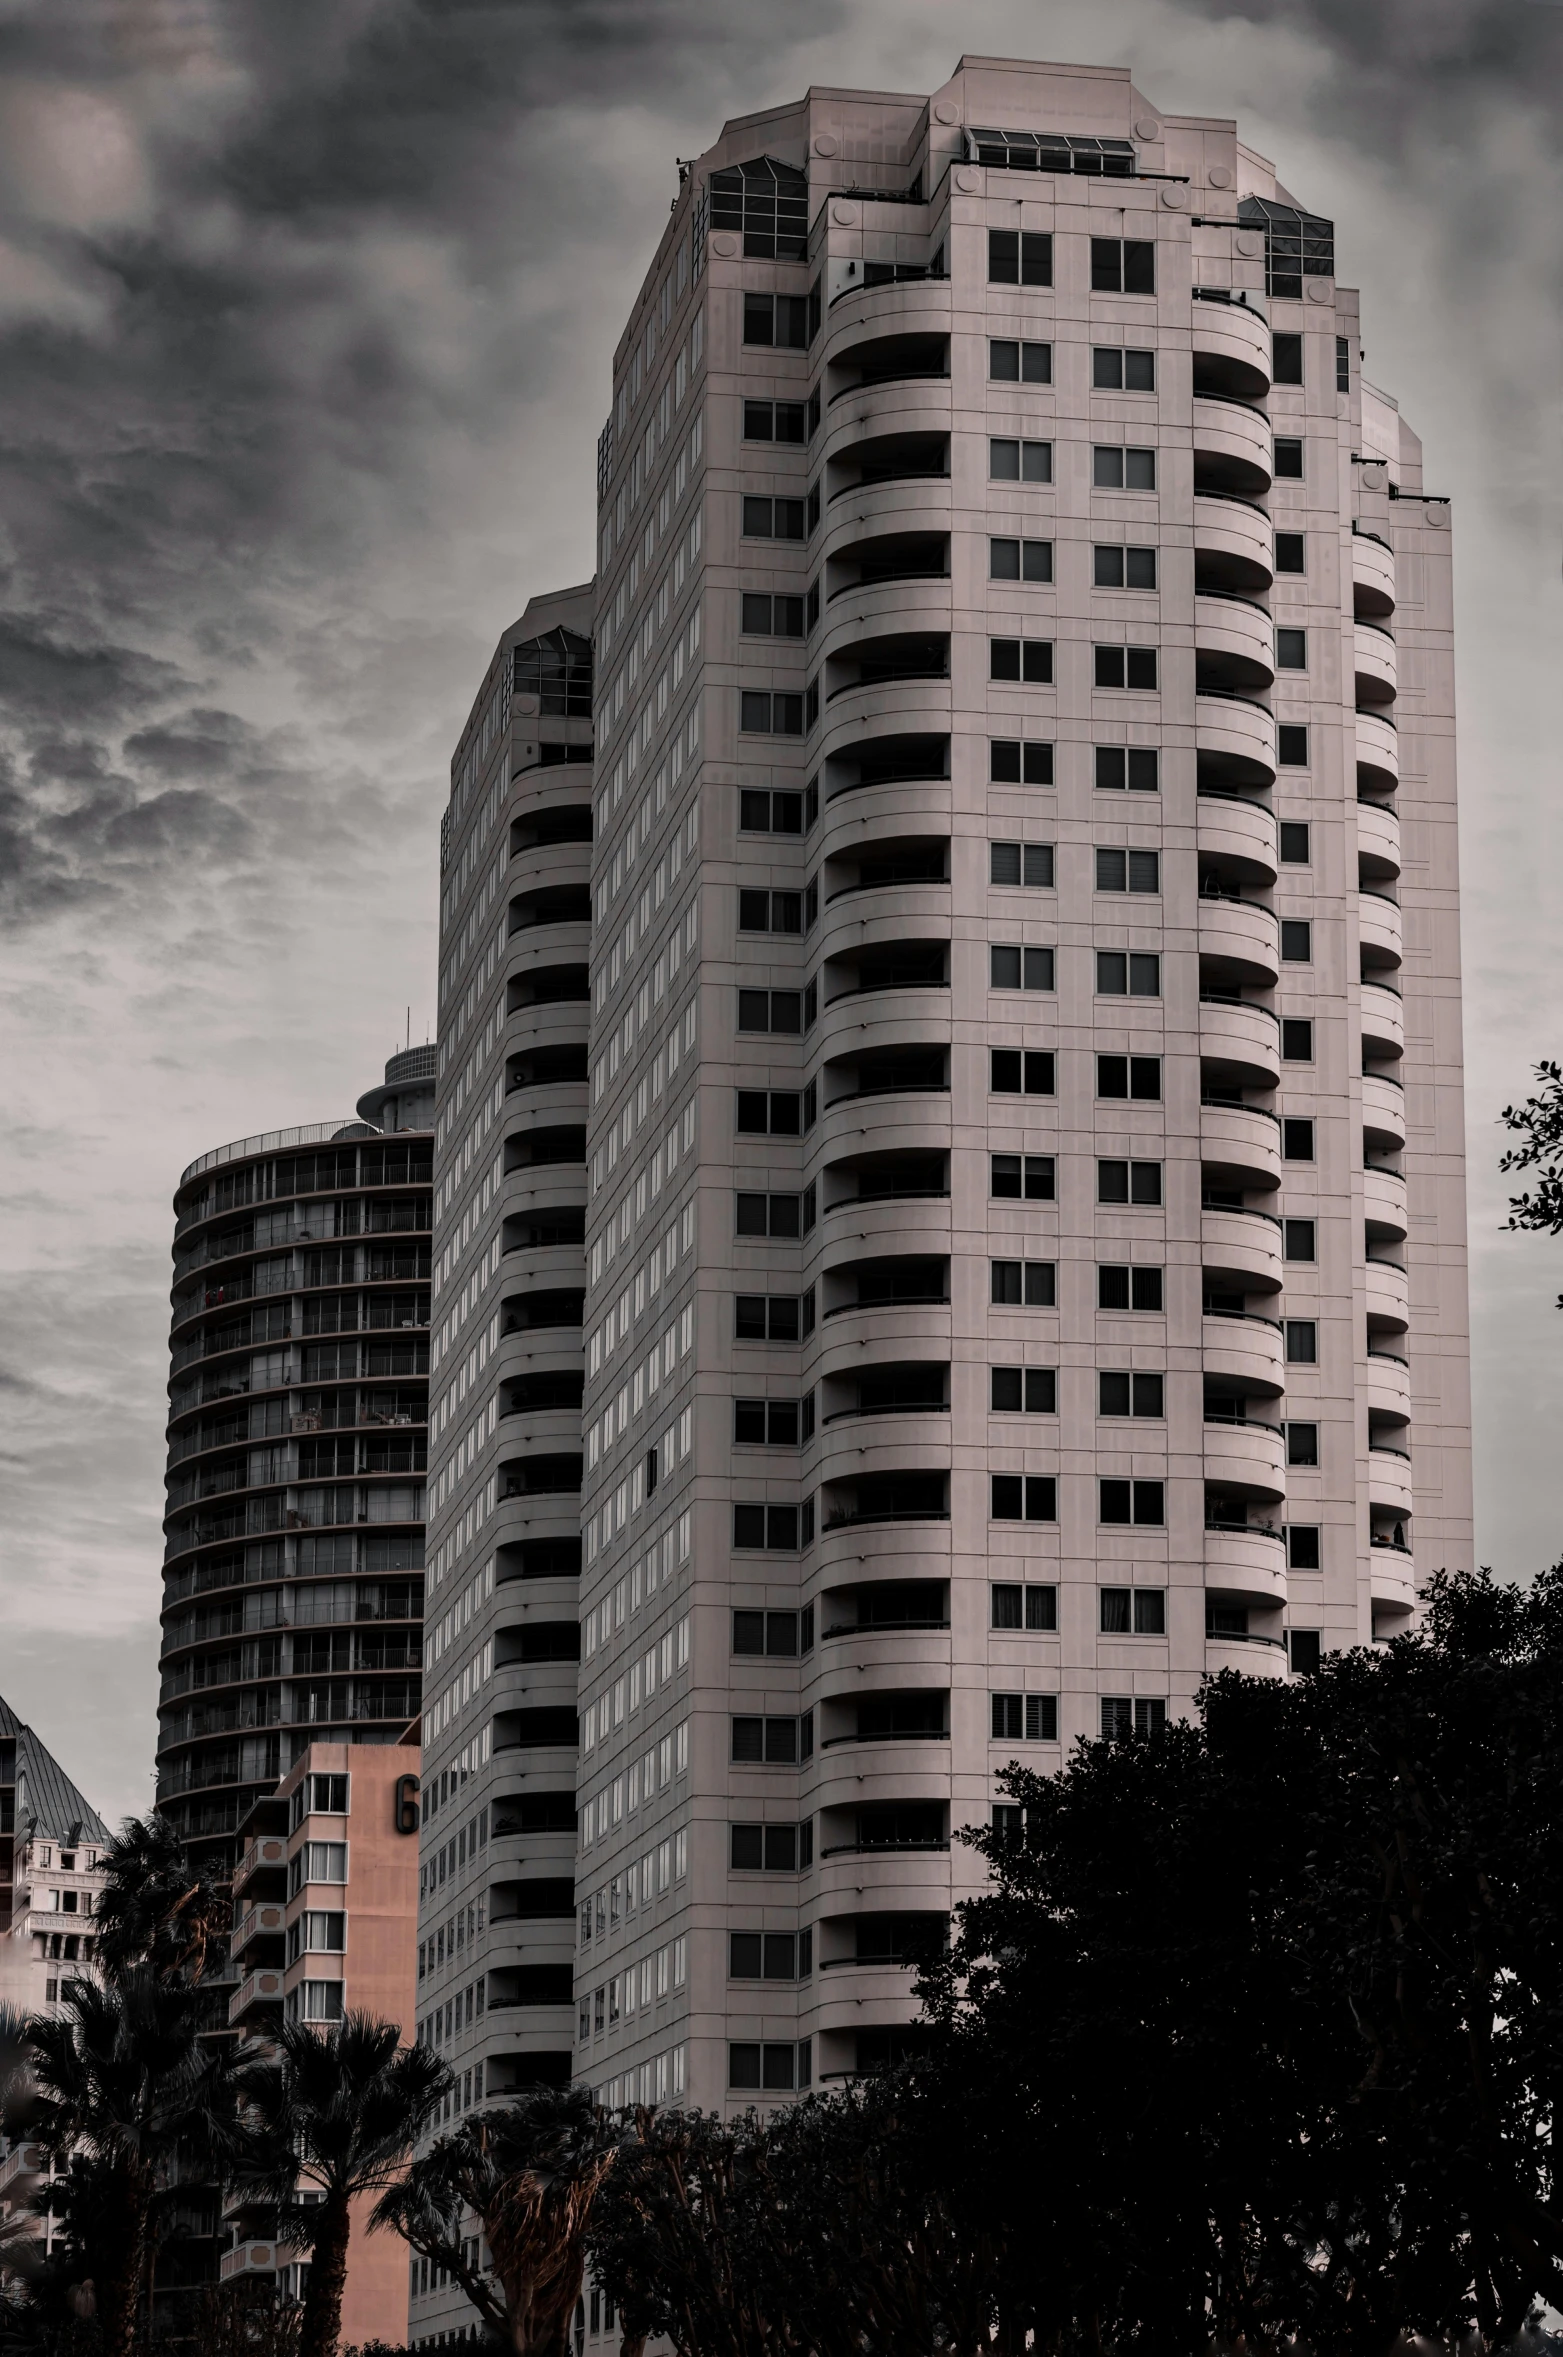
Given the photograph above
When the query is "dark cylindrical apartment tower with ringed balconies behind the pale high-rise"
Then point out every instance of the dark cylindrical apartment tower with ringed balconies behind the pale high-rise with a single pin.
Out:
(296, 1451)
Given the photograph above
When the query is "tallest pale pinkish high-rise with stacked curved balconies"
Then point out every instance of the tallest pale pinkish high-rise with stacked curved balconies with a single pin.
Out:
(1024, 1203)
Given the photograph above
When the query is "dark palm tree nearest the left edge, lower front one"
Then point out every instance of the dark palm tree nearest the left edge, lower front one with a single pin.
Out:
(124, 2087)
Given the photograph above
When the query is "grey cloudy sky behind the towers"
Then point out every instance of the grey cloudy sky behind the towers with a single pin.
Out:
(305, 331)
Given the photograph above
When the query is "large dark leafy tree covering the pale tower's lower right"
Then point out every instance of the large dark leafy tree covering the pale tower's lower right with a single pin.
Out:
(1258, 2033)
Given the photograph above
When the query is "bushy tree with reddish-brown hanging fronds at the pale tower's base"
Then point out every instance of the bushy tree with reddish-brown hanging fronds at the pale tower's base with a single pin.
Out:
(529, 2172)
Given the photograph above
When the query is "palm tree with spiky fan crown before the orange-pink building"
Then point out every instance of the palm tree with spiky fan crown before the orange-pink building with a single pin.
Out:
(331, 2118)
